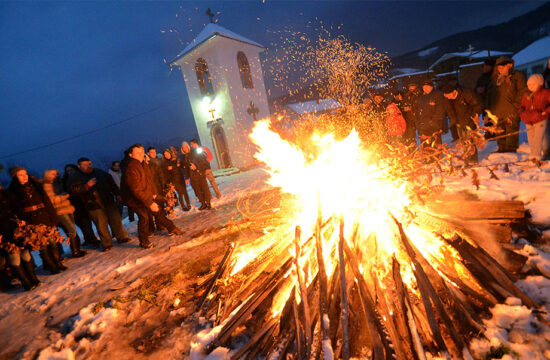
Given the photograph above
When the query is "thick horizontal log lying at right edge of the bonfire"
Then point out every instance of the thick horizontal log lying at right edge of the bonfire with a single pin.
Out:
(479, 209)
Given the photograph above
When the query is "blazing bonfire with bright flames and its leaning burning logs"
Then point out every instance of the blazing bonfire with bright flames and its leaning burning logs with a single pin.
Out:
(380, 272)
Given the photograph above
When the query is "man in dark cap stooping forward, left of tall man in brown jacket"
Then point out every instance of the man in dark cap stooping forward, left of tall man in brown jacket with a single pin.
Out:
(463, 107)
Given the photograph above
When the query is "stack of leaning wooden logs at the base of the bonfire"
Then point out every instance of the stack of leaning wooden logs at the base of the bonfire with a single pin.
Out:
(351, 313)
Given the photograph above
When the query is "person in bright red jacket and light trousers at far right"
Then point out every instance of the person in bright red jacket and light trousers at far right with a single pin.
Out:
(534, 112)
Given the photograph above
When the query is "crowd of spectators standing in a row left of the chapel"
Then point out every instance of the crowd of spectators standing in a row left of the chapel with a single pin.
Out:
(85, 195)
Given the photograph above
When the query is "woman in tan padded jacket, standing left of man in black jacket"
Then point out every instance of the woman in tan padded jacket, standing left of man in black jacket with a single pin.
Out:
(64, 209)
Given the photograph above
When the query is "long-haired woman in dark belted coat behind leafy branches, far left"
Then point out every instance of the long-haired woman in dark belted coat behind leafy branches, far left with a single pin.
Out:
(32, 205)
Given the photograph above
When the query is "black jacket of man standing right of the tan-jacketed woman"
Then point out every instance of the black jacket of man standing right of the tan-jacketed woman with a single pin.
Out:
(99, 196)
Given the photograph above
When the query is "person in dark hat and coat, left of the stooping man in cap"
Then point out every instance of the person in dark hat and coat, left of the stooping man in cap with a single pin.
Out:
(430, 112)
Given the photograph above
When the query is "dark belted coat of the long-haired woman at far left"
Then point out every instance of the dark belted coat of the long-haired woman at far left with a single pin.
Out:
(31, 204)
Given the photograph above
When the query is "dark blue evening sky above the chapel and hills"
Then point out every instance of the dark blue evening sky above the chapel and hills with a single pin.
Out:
(70, 68)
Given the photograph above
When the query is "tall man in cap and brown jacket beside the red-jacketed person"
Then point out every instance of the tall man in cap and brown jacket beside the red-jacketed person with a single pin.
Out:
(504, 96)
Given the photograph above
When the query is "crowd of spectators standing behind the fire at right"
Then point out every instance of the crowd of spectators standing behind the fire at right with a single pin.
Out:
(501, 91)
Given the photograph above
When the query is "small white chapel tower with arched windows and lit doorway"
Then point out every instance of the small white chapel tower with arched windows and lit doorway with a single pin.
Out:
(225, 85)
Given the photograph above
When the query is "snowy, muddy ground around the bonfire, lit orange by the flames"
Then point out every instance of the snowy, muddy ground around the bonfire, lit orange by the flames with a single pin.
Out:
(132, 303)
